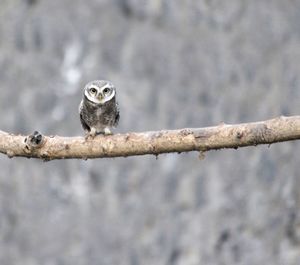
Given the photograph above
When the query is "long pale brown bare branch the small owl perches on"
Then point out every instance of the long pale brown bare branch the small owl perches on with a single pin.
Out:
(158, 142)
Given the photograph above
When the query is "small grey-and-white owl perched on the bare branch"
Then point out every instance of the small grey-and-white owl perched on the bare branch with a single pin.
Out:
(98, 109)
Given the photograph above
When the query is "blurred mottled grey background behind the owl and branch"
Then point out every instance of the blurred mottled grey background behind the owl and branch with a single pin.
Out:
(175, 64)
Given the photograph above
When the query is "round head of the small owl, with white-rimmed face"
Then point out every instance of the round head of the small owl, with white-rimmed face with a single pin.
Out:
(99, 91)
